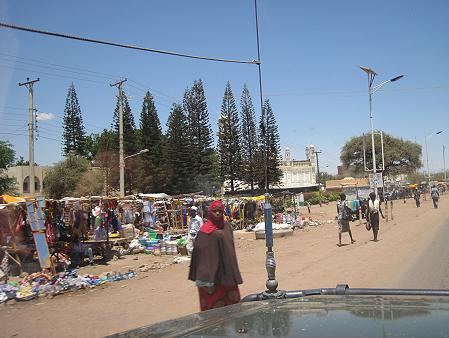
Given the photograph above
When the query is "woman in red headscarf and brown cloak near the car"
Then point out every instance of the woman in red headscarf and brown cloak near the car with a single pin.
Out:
(214, 266)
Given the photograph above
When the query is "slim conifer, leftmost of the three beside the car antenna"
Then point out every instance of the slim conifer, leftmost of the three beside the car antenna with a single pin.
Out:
(229, 139)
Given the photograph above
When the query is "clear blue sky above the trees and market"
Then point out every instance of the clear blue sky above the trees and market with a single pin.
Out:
(310, 52)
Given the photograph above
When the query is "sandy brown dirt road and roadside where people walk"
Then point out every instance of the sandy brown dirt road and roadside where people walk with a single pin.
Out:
(308, 259)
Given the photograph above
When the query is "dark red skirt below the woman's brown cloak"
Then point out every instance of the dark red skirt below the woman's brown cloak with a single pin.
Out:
(223, 296)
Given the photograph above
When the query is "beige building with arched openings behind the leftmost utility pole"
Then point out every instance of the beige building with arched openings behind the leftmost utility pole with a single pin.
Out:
(22, 176)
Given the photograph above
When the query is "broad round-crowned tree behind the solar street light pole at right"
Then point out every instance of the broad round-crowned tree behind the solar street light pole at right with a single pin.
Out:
(401, 156)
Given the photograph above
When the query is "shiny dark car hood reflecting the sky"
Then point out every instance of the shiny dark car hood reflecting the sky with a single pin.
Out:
(314, 316)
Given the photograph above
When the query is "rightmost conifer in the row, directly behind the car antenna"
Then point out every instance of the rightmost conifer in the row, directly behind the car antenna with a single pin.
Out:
(269, 148)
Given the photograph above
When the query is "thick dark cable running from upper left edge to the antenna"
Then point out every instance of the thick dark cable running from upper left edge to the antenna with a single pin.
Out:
(114, 44)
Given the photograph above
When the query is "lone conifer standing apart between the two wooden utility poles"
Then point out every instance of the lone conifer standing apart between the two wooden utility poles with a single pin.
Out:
(74, 135)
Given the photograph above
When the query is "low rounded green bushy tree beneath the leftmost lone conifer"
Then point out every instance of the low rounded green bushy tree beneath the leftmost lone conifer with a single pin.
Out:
(63, 178)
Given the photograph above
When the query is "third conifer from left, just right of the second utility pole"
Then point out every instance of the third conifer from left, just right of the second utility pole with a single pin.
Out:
(151, 175)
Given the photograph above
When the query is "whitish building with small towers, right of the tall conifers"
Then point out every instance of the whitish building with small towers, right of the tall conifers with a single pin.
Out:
(298, 173)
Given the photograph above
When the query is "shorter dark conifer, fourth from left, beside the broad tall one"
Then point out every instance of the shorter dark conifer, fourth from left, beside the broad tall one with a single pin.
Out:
(178, 153)
